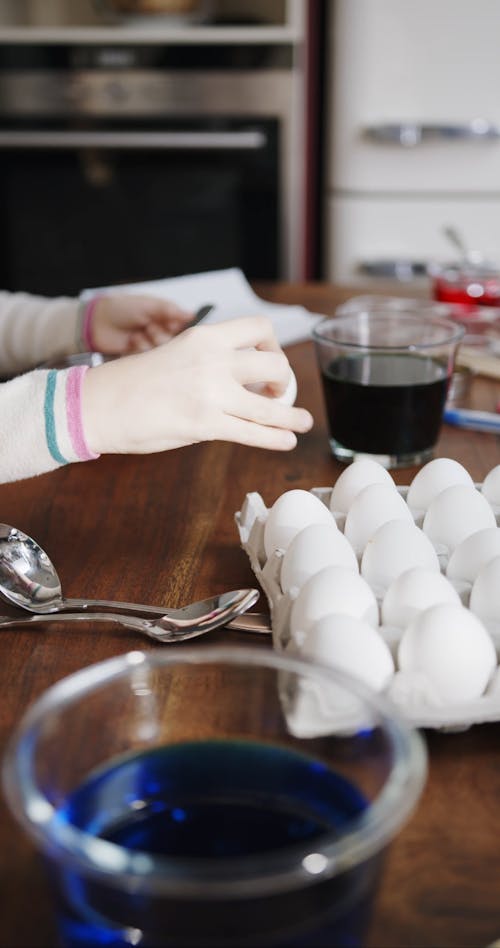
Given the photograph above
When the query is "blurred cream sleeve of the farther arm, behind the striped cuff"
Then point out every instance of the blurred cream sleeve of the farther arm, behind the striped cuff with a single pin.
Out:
(34, 329)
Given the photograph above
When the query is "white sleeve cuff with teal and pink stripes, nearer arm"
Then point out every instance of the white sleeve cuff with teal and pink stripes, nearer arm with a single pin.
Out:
(41, 423)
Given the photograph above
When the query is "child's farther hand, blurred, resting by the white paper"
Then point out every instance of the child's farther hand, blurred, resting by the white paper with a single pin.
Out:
(122, 323)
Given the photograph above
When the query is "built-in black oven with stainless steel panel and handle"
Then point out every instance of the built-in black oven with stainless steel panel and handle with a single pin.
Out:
(130, 164)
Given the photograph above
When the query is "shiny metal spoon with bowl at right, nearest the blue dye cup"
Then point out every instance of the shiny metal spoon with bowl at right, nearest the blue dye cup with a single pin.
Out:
(216, 612)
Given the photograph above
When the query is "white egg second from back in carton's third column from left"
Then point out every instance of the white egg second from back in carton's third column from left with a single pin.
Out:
(455, 514)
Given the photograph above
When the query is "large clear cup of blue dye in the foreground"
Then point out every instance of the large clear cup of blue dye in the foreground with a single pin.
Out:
(204, 797)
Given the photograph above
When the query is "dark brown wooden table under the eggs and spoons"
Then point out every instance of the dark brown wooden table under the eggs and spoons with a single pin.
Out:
(161, 529)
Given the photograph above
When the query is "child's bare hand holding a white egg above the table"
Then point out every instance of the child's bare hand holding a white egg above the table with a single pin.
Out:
(193, 389)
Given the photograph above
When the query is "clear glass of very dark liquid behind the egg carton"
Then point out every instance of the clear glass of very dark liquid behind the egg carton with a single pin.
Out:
(385, 374)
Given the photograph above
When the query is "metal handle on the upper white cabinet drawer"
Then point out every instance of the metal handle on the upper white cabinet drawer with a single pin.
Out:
(410, 134)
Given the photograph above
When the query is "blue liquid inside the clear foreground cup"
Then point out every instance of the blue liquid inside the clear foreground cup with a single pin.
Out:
(216, 800)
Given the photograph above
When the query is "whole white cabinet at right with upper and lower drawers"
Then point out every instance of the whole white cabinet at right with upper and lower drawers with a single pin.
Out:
(413, 130)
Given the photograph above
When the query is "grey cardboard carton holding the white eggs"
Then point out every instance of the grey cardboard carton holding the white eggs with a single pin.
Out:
(308, 712)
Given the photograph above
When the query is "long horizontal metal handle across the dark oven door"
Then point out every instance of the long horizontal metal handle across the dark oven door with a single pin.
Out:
(249, 140)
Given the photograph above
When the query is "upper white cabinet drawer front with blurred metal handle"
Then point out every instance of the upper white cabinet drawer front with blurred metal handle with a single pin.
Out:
(413, 96)
